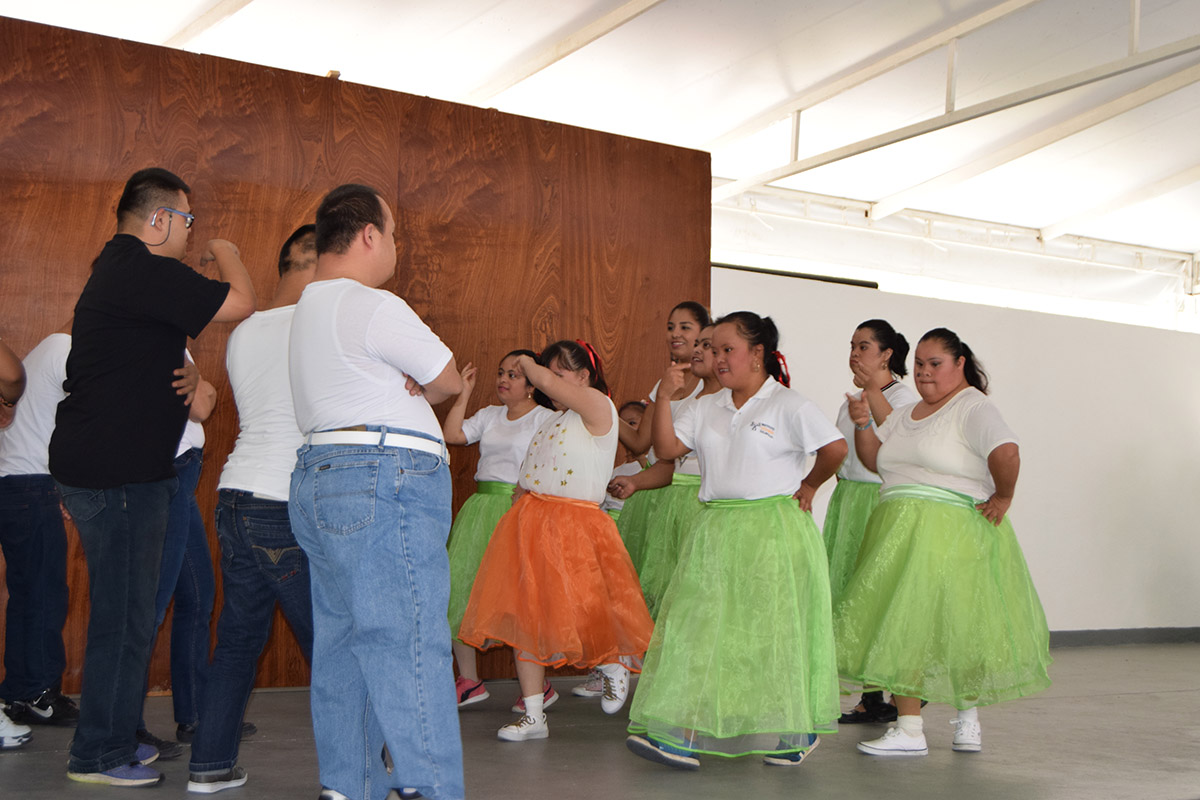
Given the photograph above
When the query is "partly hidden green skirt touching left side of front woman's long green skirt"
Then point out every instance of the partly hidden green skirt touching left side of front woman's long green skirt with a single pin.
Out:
(676, 510)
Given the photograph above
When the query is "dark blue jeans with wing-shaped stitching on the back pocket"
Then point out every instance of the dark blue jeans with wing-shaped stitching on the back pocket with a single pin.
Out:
(261, 564)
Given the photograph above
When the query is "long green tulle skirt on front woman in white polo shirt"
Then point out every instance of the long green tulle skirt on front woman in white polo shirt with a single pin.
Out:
(742, 658)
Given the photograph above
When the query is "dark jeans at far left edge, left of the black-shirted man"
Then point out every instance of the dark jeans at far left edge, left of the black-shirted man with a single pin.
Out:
(35, 554)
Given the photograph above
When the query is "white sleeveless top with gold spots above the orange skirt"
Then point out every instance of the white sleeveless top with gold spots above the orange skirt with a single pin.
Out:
(567, 461)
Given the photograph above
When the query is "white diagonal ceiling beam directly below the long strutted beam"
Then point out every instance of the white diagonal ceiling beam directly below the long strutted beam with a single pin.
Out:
(1043, 139)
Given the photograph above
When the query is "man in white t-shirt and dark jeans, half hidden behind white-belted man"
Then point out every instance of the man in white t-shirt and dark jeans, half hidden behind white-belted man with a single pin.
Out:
(262, 563)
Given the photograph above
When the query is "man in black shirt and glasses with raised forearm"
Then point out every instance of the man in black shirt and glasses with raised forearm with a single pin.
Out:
(115, 444)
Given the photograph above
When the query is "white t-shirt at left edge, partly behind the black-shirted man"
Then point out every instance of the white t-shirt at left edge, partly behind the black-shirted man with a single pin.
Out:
(25, 448)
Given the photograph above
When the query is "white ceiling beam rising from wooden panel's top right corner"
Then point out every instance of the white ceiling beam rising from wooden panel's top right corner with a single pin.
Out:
(835, 87)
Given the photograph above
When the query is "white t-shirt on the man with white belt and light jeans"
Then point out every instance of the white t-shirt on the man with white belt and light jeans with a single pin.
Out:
(350, 353)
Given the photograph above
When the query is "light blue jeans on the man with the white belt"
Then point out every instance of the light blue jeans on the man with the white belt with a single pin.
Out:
(375, 522)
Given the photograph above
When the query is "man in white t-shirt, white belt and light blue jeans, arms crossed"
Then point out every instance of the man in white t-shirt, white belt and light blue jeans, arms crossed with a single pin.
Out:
(370, 506)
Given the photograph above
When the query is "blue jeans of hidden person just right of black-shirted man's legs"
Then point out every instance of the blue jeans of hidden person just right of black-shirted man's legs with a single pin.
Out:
(187, 575)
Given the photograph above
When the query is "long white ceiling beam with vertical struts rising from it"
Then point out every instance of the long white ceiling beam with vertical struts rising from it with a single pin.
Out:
(1004, 103)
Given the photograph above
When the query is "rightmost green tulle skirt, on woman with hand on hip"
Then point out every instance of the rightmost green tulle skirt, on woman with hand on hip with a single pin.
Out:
(941, 605)
